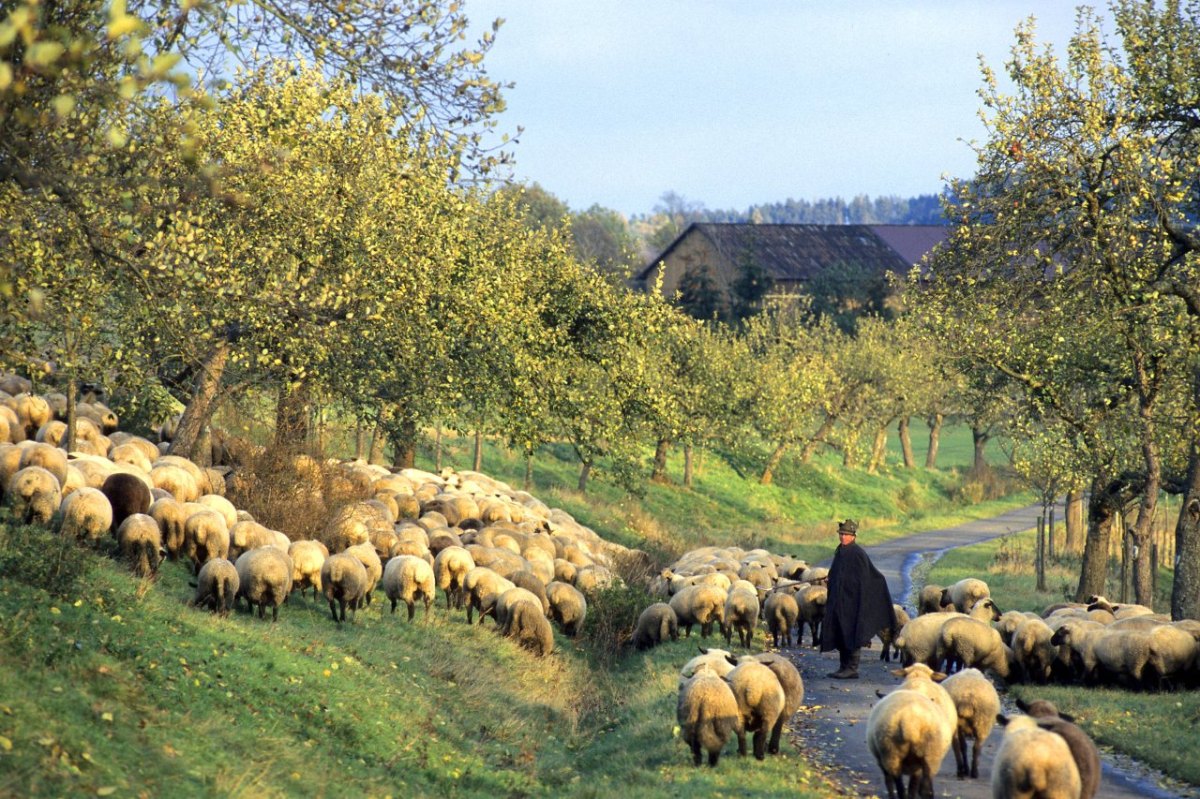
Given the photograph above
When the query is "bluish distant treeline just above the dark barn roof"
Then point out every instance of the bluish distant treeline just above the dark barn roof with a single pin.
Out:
(860, 211)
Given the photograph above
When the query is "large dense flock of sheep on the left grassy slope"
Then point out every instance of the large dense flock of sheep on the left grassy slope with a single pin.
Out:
(489, 549)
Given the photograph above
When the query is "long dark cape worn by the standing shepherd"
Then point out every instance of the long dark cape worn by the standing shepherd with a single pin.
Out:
(860, 604)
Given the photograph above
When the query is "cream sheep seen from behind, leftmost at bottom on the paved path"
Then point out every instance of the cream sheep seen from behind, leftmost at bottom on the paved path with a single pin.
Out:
(909, 736)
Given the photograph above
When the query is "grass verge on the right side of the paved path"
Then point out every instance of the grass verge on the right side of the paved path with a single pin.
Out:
(1160, 730)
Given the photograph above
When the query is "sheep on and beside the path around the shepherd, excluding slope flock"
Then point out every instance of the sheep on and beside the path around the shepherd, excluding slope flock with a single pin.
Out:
(953, 652)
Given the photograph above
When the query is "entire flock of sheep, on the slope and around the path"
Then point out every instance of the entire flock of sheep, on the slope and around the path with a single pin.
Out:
(503, 554)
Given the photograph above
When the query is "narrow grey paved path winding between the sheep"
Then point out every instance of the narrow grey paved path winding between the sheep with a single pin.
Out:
(832, 725)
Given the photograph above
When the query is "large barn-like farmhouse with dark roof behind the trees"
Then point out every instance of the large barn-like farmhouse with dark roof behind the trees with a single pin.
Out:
(790, 257)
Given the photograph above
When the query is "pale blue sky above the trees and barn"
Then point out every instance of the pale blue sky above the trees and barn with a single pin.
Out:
(749, 103)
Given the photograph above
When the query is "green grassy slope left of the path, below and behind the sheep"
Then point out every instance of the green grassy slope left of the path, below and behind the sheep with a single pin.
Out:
(119, 689)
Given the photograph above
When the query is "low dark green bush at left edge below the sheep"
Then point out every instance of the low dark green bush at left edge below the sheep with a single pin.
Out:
(37, 557)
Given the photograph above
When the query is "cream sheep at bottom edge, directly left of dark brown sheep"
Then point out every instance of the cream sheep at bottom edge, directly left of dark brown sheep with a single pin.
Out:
(1034, 762)
